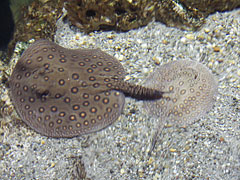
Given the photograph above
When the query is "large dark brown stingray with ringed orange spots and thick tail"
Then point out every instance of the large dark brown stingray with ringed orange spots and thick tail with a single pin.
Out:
(63, 92)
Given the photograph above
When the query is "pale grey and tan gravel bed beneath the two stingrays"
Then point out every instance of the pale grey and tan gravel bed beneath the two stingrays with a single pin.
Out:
(206, 149)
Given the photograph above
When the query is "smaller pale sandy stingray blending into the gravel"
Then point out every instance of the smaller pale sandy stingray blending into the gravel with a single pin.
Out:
(191, 91)
